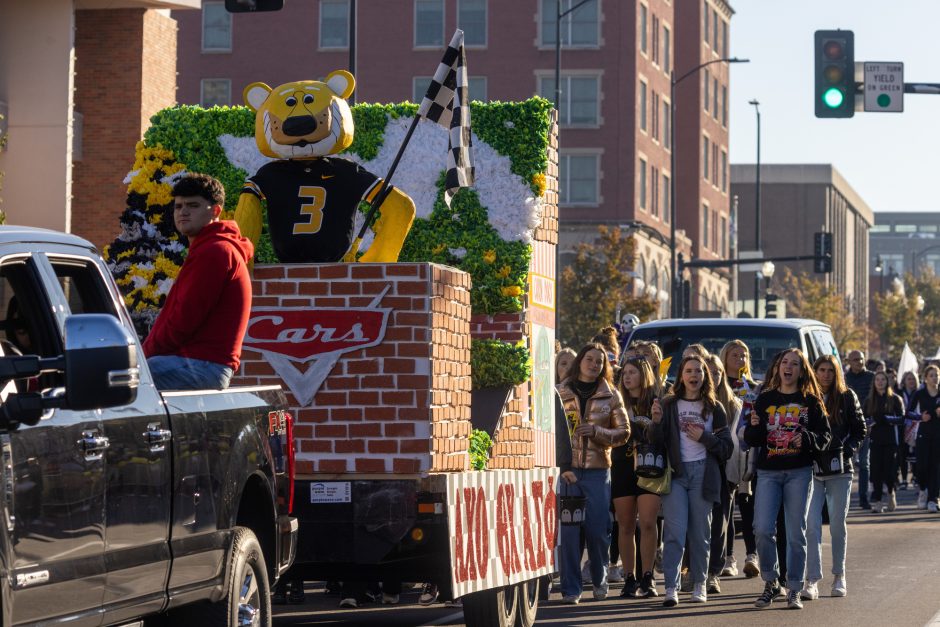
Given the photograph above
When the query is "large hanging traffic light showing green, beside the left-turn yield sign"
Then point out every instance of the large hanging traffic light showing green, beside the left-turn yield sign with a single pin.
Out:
(835, 73)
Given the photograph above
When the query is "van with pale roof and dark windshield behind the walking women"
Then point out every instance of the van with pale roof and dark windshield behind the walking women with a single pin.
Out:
(765, 337)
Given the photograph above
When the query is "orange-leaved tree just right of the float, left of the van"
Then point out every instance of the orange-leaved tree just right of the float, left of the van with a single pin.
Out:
(597, 283)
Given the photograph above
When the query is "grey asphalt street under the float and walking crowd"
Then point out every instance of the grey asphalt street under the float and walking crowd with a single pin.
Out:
(893, 574)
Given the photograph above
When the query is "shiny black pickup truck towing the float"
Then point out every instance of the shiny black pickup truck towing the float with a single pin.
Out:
(122, 505)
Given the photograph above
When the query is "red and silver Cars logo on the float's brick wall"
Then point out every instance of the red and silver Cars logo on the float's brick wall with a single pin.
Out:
(288, 336)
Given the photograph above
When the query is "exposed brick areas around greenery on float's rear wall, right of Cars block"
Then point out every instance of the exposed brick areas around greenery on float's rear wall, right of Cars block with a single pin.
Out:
(516, 443)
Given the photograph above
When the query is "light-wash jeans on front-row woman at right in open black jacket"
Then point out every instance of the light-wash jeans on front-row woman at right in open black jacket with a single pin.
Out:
(834, 491)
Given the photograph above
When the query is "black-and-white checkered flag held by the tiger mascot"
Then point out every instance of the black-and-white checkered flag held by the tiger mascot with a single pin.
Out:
(447, 103)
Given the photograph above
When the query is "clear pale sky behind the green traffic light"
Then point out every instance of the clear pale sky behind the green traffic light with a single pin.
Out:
(891, 159)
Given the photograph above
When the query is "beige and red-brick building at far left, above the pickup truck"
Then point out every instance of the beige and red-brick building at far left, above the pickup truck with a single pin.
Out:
(71, 135)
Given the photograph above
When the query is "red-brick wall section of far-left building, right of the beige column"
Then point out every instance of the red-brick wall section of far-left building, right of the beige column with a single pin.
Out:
(125, 71)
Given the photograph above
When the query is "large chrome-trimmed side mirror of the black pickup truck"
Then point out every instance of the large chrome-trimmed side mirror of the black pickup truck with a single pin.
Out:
(100, 363)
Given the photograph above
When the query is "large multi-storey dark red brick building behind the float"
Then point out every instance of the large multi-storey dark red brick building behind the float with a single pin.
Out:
(613, 52)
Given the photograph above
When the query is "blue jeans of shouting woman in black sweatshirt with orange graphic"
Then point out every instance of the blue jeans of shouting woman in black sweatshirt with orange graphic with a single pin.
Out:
(793, 488)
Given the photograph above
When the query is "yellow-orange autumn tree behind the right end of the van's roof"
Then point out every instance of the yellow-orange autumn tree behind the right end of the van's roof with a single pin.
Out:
(810, 298)
